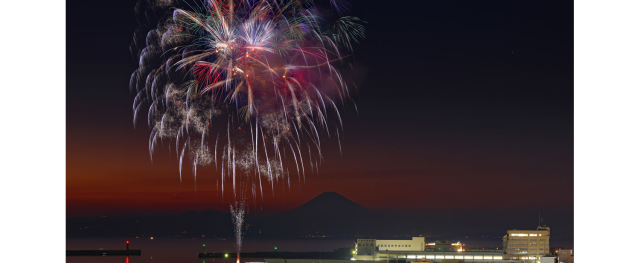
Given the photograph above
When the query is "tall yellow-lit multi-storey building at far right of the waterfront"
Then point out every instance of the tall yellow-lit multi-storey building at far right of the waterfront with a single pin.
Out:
(526, 244)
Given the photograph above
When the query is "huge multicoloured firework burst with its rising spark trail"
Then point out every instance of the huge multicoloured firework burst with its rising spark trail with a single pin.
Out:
(264, 68)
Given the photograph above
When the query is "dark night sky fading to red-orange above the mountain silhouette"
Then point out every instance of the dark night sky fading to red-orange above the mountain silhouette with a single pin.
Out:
(461, 105)
